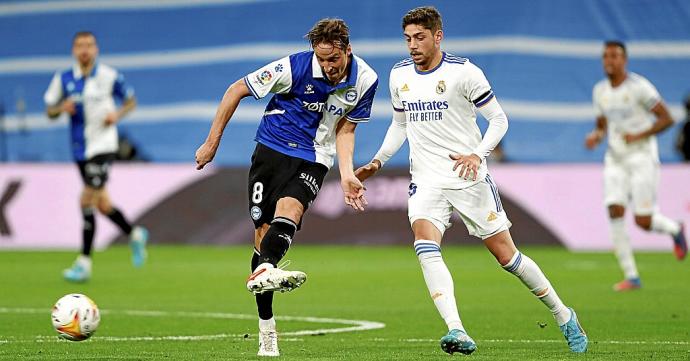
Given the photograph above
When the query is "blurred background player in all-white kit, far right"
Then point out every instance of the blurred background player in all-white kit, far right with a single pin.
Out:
(624, 104)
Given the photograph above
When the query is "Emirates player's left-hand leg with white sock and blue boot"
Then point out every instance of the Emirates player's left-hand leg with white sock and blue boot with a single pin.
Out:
(439, 282)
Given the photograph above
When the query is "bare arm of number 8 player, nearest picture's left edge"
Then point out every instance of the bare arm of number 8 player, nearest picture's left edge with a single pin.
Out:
(226, 109)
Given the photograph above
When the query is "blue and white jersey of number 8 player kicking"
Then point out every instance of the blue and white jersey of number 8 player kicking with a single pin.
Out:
(301, 117)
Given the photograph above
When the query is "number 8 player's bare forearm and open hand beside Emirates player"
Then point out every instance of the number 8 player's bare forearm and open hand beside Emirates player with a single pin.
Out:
(353, 190)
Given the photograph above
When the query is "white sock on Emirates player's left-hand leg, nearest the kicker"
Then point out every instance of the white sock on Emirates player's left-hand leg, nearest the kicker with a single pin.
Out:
(439, 282)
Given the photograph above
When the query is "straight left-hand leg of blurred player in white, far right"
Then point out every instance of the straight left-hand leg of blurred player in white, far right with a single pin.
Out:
(623, 250)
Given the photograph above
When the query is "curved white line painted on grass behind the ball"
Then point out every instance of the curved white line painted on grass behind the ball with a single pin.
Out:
(353, 325)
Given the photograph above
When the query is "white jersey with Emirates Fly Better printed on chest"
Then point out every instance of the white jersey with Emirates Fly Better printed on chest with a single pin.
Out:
(439, 108)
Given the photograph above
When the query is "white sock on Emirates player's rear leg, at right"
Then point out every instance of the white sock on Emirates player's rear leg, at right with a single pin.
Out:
(529, 273)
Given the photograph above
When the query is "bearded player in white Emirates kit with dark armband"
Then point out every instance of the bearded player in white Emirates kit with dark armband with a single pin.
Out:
(435, 96)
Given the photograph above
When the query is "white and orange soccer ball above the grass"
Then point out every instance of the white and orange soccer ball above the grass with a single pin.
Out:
(75, 317)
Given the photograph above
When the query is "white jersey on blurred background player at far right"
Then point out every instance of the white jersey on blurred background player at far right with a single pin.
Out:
(627, 110)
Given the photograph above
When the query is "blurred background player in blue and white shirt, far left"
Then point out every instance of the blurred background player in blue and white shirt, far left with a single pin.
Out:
(87, 94)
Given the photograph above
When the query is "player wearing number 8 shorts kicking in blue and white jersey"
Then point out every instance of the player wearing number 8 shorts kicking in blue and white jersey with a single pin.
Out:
(318, 99)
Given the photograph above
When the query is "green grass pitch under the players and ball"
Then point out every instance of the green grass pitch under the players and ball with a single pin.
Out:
(382, 284)
